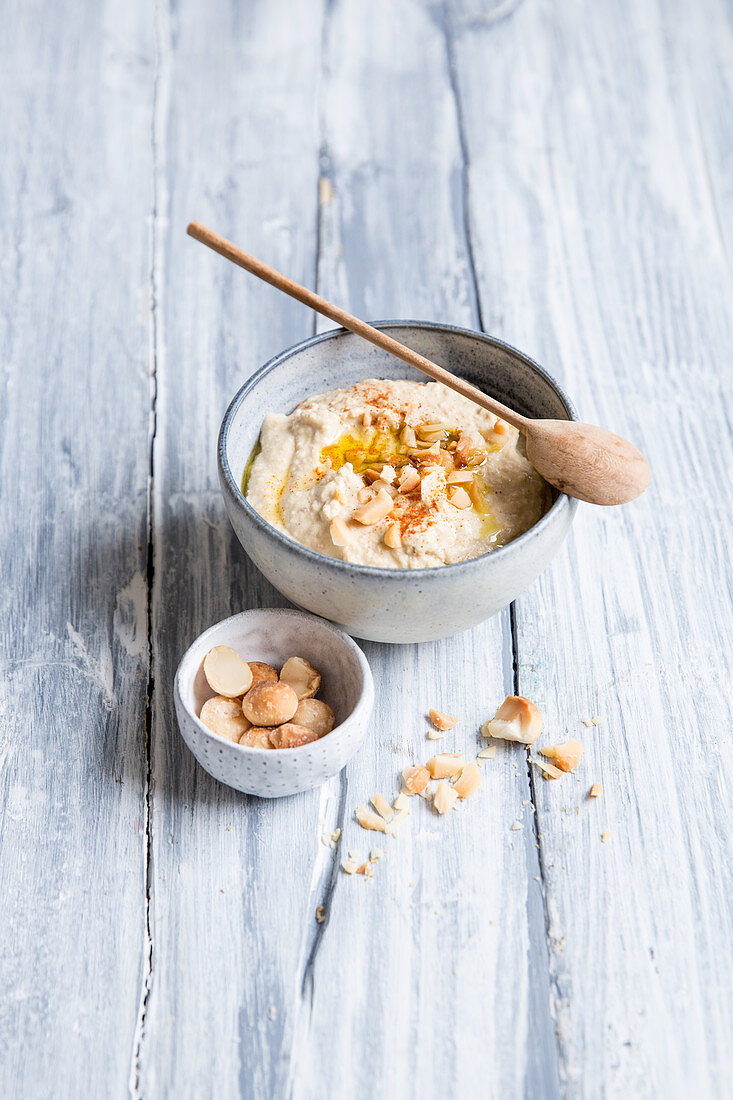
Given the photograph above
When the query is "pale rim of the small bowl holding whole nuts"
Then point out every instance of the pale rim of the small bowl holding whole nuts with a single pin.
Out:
(363, 710)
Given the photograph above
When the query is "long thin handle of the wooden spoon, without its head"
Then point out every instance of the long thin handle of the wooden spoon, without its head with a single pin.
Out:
(276, 279)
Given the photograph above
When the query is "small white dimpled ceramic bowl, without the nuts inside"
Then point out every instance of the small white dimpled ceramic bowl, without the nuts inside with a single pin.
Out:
(272, 635)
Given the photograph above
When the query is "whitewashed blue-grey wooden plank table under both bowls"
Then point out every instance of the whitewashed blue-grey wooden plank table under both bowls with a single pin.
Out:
(557, 174)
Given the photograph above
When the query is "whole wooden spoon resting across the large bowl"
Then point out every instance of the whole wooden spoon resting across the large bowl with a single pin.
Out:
(579, 459)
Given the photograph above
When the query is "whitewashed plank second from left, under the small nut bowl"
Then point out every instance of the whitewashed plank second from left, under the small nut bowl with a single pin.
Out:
(233, 878)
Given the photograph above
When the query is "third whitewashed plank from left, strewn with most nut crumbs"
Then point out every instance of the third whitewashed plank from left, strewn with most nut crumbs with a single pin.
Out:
(433, 978)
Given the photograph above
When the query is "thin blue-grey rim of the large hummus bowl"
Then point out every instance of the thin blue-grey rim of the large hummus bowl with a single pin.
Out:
(516, 546)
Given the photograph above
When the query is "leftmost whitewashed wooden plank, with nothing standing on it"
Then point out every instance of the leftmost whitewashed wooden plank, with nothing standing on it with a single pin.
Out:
(74, 444)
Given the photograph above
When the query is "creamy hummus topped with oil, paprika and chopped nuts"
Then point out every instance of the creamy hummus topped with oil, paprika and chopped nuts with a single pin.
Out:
(395, 475)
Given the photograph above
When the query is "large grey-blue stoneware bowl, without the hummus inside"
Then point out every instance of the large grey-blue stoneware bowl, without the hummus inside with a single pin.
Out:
(388, 604)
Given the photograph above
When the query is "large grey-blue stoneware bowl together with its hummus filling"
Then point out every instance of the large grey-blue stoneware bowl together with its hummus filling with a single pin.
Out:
(390, 505)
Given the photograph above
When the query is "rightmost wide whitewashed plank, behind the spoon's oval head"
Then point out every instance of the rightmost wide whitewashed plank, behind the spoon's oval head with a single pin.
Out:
(601, 254)
